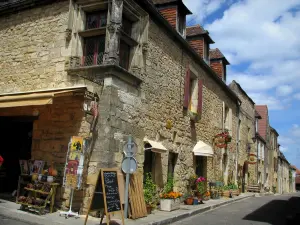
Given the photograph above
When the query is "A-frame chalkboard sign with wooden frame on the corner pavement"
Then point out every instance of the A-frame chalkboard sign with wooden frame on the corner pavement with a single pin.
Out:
(106, 195)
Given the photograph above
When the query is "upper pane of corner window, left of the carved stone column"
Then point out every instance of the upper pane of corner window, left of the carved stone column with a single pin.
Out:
(96, 20)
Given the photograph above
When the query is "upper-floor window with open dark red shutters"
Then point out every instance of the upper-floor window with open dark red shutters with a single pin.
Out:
(193, 94)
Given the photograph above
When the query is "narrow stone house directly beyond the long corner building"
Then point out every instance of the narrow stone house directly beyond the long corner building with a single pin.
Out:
(247, 173)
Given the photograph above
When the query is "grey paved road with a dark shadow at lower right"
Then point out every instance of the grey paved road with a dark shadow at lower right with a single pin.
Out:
(253, 211)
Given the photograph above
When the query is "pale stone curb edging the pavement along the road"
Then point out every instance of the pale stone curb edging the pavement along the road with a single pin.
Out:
(195, 212)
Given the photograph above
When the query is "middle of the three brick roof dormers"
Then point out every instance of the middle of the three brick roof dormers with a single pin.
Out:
(199, 40)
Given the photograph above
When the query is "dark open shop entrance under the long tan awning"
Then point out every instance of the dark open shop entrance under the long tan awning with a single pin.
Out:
(16, 139)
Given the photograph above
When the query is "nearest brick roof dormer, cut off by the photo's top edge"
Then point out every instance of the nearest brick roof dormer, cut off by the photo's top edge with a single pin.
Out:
(174, 11)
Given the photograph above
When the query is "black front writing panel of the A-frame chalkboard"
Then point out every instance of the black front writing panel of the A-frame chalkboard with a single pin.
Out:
(112, 196)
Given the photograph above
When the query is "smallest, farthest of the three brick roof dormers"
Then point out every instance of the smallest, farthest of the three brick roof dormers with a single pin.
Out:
(218, 63)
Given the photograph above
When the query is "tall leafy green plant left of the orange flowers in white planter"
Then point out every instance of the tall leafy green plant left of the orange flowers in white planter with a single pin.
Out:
(150, 193)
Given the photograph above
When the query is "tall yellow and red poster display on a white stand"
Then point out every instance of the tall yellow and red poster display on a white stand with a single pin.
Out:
(74, 163)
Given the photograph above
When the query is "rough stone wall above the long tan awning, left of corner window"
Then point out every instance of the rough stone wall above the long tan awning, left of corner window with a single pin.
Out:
(33, 49)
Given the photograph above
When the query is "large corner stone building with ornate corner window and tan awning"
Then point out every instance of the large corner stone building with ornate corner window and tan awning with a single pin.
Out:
(134, 61)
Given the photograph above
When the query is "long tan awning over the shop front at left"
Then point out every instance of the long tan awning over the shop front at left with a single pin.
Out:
(41, 97)
